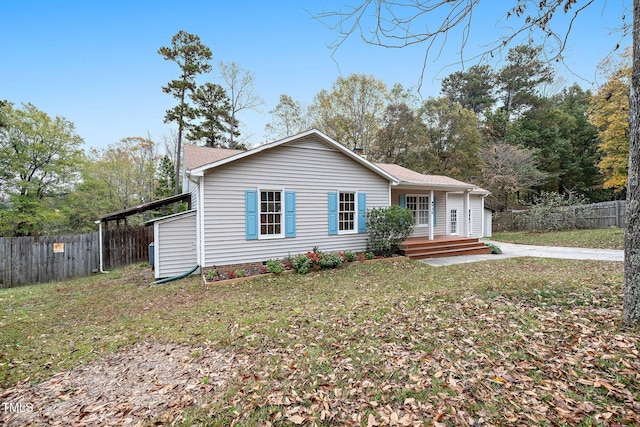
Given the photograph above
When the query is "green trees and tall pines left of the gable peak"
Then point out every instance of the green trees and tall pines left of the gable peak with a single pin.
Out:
(49, 185)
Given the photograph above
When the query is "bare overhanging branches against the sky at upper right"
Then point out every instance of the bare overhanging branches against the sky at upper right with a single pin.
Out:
(402, 23)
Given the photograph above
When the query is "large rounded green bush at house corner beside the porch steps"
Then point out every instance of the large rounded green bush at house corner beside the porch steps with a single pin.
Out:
(388, 228)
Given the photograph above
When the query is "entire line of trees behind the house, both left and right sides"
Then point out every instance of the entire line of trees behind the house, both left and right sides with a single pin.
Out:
(504, 129)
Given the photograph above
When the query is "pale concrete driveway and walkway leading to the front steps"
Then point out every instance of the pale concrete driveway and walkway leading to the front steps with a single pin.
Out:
(512, 250)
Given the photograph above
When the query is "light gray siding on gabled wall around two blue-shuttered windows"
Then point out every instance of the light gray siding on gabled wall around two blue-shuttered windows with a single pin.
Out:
(308, 167)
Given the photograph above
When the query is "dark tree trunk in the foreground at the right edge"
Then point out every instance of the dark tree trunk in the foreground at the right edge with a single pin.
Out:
(631, 303)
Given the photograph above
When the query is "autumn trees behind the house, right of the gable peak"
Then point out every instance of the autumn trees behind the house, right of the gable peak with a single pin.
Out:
(511, 130)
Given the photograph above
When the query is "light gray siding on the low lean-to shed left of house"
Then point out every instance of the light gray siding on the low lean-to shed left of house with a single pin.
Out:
(175, 245)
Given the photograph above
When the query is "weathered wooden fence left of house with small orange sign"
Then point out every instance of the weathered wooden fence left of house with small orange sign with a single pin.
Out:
(25, 260)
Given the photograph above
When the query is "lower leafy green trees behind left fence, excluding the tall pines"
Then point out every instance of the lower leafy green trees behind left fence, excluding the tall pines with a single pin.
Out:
(49, 185)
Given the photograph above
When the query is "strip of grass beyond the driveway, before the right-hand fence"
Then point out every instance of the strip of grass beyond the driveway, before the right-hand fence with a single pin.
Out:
(601, 238)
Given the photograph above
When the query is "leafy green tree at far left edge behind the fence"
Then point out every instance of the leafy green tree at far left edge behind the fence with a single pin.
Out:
(39, 156)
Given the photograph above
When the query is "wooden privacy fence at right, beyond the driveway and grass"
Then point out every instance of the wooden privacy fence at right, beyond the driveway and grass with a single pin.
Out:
(595, 215)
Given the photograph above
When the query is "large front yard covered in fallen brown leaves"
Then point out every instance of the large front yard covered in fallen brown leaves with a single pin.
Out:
(520, 341)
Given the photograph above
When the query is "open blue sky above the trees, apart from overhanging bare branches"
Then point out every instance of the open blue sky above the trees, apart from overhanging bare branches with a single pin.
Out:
(96, 62)
